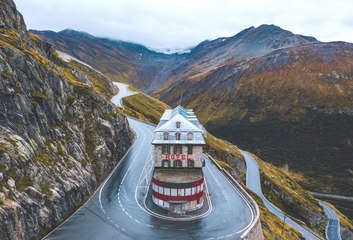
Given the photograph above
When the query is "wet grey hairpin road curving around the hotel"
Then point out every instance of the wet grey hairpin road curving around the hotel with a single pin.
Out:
(113, 211)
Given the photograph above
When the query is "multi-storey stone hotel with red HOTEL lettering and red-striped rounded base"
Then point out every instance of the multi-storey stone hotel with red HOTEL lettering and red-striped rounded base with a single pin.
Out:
(178, 182)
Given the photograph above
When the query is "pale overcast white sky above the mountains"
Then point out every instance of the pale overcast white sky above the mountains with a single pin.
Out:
(181, 24)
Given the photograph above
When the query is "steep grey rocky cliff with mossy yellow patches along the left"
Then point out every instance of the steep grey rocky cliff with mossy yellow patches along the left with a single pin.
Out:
(59, 134)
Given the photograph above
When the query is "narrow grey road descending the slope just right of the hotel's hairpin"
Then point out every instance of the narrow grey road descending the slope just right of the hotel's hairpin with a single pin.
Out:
(254, 184)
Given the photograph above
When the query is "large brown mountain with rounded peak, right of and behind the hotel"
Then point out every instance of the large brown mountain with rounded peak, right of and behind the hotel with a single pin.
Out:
(281, 95)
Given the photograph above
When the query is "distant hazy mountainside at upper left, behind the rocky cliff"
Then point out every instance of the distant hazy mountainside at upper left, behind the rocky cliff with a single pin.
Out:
(121, 61)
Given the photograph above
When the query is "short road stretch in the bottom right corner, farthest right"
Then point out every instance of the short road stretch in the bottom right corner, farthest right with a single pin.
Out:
(333, 226)
